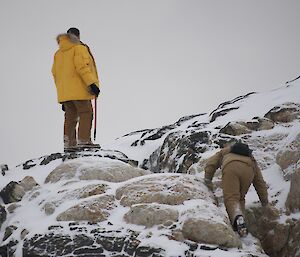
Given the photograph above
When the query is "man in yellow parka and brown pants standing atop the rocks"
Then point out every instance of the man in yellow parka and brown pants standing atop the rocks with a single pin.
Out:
(76, 79)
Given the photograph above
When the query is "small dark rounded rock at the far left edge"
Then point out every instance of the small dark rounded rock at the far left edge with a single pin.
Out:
(13, 192)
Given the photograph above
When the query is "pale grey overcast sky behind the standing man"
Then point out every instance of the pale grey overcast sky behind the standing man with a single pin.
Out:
(158, 60)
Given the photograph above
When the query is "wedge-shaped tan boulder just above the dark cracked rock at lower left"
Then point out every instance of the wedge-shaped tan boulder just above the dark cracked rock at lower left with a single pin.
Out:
(94, 210)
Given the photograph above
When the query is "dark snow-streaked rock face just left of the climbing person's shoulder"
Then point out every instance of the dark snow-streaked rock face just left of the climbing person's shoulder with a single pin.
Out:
(178, 152)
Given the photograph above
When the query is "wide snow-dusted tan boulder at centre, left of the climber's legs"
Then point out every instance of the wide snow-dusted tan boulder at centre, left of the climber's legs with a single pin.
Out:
(164, 189)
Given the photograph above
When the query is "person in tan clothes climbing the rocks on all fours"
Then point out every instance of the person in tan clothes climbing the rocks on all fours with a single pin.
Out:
(239, 171)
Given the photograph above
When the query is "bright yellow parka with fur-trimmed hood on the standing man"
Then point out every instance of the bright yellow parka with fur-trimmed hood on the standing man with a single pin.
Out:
(74, 70)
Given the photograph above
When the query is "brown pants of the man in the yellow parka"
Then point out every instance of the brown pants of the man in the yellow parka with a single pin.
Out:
(79, 111)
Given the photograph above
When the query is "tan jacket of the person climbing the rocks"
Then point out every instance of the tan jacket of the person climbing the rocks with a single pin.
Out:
(222, 158)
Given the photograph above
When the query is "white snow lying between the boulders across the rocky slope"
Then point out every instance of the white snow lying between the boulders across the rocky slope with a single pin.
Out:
(31, 216)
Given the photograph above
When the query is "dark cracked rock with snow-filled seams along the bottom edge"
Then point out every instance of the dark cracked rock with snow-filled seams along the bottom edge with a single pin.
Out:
(99, 244)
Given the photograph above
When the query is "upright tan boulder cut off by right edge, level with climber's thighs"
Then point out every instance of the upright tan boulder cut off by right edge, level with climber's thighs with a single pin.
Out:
(293, 200)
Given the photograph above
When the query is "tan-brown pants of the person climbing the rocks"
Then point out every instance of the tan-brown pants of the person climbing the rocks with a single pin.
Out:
(236, 180)
